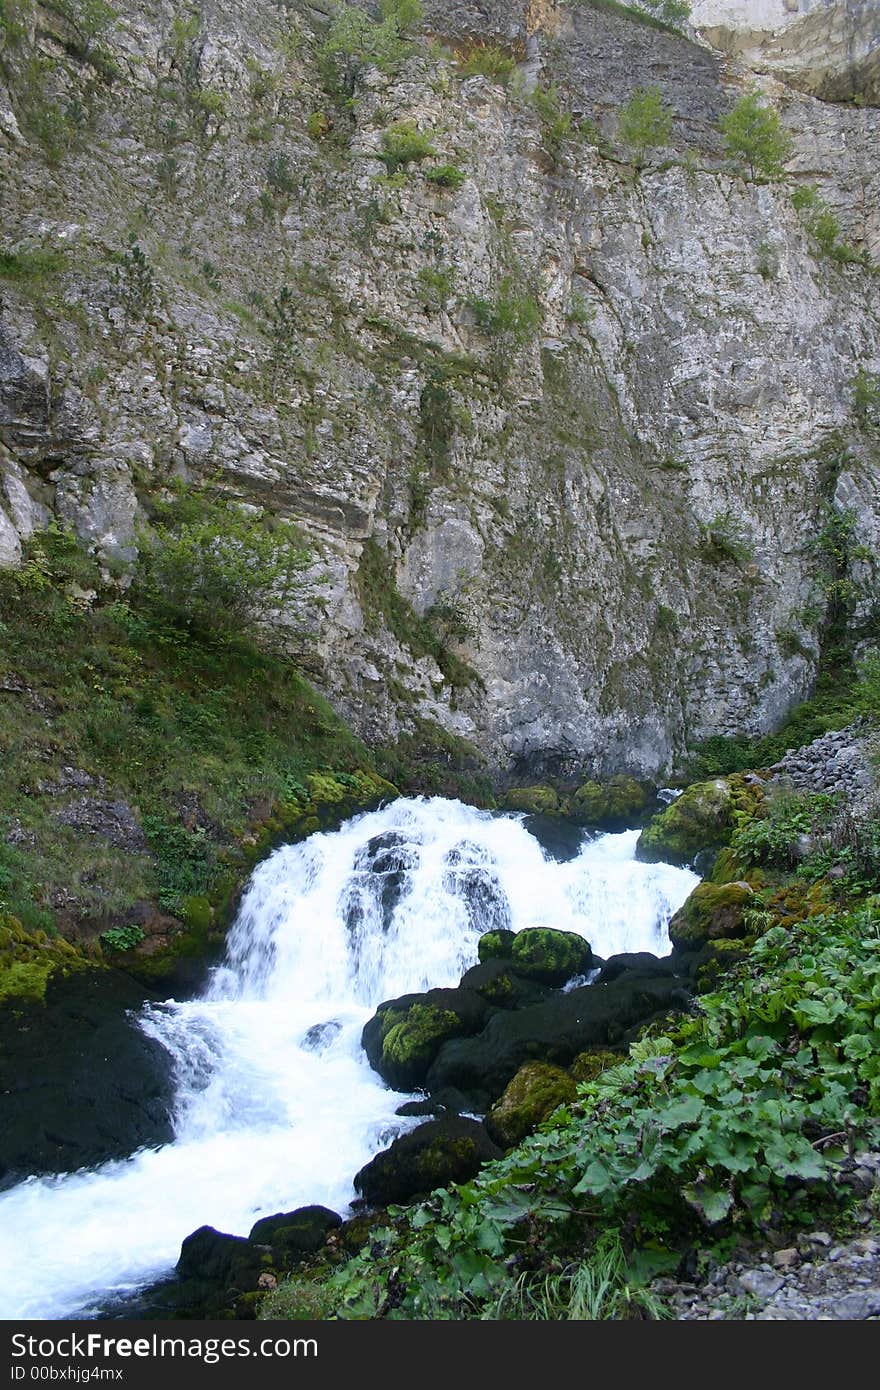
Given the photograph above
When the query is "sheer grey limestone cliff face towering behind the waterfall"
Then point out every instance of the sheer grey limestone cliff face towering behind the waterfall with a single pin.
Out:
(589, 422)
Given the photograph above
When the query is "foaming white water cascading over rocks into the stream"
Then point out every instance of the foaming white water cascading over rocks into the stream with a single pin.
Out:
(277, 1106)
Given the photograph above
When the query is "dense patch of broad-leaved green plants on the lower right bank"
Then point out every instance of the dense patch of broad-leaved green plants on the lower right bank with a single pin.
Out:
(722, 1122)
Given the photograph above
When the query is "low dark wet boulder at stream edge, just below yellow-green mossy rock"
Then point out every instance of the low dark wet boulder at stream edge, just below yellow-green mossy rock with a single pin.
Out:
(436, 1154)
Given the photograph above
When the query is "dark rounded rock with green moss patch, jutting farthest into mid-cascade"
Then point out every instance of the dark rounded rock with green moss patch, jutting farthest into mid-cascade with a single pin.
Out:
(404, 1036)
